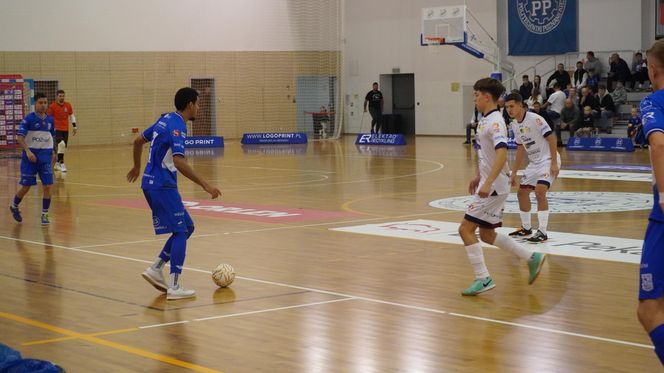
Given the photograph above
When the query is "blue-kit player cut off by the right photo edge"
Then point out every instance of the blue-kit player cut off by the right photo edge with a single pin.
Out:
(651, 292)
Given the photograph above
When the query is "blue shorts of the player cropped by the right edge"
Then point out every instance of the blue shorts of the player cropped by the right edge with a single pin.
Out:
(652, 262)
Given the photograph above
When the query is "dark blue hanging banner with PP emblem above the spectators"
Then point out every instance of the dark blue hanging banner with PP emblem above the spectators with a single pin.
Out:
(542, 27)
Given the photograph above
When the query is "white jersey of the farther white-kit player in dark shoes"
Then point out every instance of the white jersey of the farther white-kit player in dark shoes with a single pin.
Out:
(531, 133)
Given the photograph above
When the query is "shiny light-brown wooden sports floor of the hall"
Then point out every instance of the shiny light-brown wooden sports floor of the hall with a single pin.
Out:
(307, 298)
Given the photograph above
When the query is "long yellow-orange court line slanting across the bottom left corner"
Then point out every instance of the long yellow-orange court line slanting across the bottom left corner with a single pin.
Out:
(107, 343)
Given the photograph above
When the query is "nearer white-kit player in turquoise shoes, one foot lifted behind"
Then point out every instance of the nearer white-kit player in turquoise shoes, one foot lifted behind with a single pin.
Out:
(490, 189)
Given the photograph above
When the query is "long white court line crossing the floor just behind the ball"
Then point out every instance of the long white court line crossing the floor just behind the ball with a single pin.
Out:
(372, 300)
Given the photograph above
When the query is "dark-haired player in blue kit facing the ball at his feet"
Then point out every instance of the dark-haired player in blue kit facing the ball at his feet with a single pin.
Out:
(159, 184)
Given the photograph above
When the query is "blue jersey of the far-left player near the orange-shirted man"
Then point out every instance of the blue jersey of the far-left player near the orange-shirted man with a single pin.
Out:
(38, 133)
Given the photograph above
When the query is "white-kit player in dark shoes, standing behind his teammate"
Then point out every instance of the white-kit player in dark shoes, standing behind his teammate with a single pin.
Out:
(537, 142)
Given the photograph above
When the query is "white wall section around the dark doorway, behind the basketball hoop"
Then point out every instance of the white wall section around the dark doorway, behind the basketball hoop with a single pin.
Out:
(384, 34)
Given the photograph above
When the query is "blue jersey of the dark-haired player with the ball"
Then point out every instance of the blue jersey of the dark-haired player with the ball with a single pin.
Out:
(166, 139)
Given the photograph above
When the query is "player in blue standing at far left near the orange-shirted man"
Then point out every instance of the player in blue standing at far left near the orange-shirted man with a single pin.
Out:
(35, 136)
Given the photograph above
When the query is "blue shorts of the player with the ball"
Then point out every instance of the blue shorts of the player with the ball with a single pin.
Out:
(168, 212)
